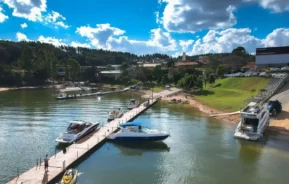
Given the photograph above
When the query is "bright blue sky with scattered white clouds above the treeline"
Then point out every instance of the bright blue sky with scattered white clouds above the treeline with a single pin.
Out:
(149, 26)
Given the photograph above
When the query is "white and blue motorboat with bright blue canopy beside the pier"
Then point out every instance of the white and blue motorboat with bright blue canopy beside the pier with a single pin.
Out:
(135, 132)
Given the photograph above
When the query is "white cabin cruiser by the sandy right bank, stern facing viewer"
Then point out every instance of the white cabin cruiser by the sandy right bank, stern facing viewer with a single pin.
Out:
(254, 120)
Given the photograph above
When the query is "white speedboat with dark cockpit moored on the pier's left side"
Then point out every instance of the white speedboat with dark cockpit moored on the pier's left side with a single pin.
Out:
(76, 130)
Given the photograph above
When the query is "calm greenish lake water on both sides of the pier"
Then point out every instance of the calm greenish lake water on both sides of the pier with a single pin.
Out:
(200, 149)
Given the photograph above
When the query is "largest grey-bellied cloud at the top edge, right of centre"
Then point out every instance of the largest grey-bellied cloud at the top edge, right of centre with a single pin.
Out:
(195, 15)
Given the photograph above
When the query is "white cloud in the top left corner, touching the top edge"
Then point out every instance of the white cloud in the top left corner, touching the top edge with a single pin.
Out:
(28, 9)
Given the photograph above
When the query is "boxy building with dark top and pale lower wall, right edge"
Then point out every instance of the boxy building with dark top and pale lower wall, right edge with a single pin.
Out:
(272, 56)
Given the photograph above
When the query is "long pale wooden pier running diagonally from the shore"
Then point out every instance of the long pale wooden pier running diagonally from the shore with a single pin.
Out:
(60, 161)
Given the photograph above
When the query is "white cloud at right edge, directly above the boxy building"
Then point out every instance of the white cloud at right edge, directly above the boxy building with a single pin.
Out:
(279, 37)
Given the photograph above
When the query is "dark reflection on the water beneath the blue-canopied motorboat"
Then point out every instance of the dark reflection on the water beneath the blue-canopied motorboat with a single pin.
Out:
(137, 148)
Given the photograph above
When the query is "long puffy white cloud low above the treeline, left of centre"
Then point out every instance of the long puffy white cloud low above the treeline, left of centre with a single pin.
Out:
(106, 37)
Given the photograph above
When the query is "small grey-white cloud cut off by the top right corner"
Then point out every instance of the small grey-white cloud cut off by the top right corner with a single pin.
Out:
(274, 5)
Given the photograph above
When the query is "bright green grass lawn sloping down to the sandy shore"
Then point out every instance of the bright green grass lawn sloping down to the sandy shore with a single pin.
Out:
(229, 94)
